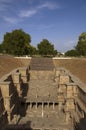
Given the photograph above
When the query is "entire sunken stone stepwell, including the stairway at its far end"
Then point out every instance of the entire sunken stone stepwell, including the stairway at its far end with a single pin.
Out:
(42, 97)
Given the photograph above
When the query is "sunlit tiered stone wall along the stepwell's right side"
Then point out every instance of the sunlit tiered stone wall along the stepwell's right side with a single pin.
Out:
(74, 96)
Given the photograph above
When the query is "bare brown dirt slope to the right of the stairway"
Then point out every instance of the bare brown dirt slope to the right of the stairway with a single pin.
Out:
(76, 66)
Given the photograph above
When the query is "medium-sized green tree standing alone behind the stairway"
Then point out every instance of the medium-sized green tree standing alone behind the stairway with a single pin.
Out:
(45, 48)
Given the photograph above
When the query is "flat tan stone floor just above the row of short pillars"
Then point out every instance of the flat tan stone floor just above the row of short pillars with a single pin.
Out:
(42, 88)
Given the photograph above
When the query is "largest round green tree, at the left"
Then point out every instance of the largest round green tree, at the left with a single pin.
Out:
(16, 42)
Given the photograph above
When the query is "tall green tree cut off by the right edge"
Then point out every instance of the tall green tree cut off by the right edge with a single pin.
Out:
(81, 46)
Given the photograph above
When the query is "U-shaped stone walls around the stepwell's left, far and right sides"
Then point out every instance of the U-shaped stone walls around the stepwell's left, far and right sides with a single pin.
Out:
(71, 94)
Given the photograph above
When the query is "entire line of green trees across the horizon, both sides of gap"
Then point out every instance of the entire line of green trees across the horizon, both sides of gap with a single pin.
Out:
(18, 43)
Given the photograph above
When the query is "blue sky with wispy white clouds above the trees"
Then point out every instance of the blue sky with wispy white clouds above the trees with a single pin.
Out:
(59, 21)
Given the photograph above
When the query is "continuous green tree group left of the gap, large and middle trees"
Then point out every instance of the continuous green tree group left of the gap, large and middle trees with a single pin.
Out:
(17, 43)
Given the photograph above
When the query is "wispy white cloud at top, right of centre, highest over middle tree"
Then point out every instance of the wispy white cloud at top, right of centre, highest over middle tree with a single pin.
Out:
(49, 6)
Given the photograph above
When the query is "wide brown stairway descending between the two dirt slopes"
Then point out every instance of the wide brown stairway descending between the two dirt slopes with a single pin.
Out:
(41, 64)
